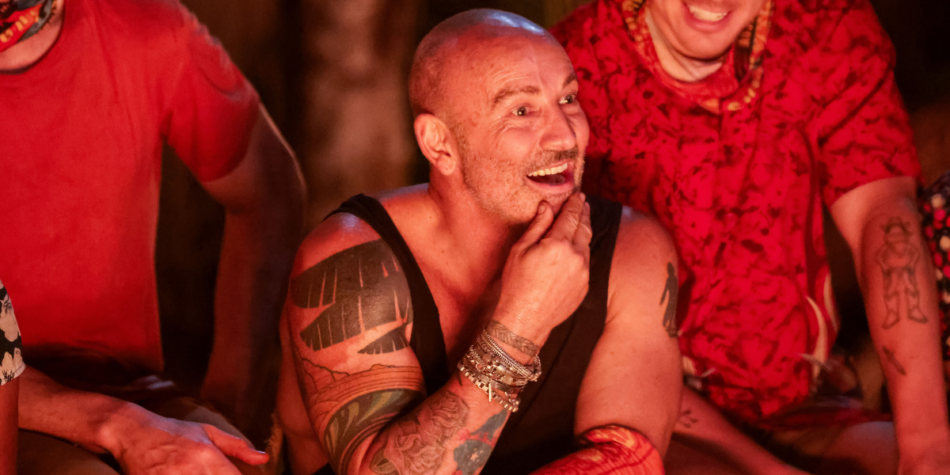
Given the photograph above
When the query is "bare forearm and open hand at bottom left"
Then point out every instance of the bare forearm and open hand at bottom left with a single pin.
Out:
(141, 441)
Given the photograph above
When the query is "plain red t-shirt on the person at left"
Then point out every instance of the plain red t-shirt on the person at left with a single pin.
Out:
(80, 164)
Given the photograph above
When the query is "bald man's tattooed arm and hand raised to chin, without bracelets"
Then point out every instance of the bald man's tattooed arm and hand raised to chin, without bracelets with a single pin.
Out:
(349, 319)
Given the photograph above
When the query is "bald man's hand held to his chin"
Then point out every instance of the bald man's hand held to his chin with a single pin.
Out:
(546, 275)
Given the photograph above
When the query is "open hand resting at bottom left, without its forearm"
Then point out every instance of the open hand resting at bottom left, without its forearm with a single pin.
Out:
(155, 445)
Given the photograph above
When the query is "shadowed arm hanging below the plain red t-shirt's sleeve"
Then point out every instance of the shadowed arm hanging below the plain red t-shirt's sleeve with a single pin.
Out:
(263, 200)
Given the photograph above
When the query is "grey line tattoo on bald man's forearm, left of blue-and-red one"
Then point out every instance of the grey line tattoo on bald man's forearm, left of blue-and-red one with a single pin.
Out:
(416, 445)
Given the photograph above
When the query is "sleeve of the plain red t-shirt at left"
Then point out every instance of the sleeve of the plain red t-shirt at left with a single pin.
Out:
(212, 108)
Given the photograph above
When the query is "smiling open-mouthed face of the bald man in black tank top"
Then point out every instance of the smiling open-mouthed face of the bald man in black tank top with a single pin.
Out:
(520, 130)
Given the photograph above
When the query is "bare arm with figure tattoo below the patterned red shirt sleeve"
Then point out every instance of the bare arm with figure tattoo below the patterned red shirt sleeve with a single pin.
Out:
(880, 222)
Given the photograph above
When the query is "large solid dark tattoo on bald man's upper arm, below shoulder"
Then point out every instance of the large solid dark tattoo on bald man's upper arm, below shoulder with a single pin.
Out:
(355, 290)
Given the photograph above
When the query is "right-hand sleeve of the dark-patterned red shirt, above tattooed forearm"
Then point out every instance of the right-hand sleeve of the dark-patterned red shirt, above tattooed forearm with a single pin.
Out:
(863, 131)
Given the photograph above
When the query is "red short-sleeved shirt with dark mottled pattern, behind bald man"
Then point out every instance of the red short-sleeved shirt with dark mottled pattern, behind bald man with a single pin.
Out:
(738, 167)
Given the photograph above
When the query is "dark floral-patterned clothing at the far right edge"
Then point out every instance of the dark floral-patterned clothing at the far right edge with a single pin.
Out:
(935, 208)
